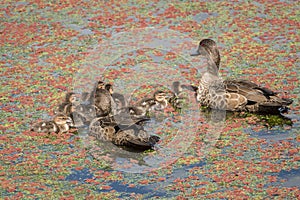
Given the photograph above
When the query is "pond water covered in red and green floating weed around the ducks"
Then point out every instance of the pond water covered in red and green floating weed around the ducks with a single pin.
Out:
(49, 49)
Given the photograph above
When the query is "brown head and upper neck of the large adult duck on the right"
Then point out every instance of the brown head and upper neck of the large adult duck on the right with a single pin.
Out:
(208, 47)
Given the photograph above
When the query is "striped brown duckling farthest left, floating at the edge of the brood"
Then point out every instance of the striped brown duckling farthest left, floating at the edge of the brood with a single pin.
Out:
(60, 124)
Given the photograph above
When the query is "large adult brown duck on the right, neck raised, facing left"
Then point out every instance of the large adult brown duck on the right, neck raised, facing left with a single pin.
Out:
(233, 94)
